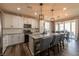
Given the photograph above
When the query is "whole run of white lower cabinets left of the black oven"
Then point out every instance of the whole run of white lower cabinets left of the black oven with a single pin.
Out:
(12, 39)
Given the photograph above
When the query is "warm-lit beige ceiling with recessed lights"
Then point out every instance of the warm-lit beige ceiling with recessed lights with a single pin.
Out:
(32, 8)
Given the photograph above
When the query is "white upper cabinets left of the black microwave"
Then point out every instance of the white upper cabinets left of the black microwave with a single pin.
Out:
(12, 21)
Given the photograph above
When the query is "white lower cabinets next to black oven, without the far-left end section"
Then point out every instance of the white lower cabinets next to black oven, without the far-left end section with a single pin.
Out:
(15, 39)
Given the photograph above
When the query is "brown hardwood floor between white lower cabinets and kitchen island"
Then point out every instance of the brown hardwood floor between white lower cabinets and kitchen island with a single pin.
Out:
(17, 50)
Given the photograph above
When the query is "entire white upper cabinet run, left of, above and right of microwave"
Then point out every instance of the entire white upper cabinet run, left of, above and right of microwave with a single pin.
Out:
(13, 21)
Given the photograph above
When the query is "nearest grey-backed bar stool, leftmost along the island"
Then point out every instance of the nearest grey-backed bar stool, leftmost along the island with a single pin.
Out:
(44, 46)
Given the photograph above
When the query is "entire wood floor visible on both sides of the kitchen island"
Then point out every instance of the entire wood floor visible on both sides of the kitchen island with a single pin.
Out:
(71, 49)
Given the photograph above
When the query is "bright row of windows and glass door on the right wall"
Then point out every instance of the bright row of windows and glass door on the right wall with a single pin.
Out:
(67, 26)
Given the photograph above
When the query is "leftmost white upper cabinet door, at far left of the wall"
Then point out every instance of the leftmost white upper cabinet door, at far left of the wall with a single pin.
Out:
(7, 22)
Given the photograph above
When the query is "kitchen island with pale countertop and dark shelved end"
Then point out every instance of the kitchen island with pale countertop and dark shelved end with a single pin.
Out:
(40, 41)
